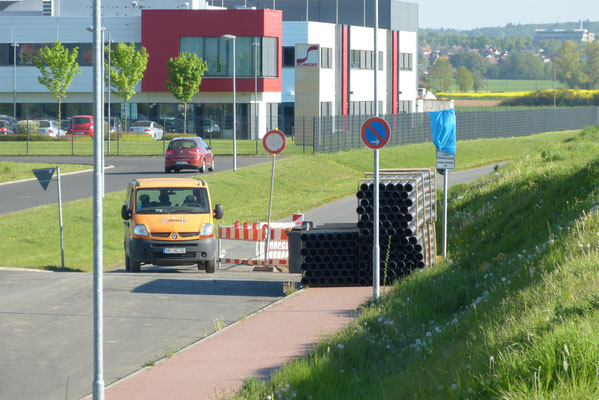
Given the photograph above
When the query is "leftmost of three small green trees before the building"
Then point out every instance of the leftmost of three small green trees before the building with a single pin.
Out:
(58, 66)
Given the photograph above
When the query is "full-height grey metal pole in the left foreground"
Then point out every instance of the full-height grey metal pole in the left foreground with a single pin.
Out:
(98, 383)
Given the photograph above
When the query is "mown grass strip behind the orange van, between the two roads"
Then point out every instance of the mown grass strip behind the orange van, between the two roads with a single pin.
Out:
(30, 238)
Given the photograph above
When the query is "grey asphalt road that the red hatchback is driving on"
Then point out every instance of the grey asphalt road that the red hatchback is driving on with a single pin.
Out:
(119, 172)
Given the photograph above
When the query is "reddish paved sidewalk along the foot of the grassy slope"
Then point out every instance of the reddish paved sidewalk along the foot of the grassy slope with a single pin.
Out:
(254, 346)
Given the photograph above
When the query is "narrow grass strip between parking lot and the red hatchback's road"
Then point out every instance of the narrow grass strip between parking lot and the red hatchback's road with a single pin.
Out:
(133, 146)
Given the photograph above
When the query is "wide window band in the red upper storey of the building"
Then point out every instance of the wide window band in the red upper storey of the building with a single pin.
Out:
(218, 54)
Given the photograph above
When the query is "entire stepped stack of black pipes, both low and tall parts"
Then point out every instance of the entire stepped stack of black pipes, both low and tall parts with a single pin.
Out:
(407, 215)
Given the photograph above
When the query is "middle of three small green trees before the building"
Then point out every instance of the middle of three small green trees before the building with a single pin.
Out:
(127, 69)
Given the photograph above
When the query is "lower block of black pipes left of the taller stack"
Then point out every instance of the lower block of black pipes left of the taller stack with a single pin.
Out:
(330, 258)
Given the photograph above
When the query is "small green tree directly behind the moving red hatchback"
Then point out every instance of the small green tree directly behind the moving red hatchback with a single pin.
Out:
(185, 73)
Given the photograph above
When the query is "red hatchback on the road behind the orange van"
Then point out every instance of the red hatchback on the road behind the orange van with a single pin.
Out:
(188, 153)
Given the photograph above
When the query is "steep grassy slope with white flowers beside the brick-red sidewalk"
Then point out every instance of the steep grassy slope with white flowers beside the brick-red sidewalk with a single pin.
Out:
(514, 313)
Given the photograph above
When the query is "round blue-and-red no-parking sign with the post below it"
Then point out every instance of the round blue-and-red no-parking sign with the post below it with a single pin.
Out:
(375, 134)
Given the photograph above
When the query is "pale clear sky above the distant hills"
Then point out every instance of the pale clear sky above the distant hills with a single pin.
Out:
(470, 14)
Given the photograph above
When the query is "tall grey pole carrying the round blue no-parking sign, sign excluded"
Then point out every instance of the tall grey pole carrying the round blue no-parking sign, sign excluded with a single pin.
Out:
(376, 256)
